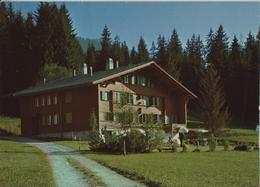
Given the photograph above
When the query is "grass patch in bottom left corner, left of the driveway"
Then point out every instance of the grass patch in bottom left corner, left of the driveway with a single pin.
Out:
(23, 165)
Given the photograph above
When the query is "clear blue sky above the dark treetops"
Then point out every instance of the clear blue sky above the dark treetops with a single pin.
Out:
(130, 20)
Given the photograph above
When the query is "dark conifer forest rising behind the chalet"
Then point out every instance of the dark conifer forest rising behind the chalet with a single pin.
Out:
(43, 41)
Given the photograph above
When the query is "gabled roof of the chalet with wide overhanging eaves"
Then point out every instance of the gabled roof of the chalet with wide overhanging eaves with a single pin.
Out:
(96, 78)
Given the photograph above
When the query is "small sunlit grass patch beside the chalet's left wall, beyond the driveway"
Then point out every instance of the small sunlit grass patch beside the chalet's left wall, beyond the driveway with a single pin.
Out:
(10, 125)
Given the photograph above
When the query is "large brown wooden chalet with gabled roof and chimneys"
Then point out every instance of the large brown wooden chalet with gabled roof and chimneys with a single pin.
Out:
(63, 107)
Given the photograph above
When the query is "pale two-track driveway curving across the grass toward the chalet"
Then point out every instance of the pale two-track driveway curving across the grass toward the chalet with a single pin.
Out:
(65, 175)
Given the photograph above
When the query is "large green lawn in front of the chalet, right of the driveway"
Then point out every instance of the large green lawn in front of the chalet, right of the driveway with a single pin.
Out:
(220, 168)
